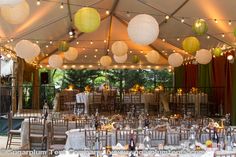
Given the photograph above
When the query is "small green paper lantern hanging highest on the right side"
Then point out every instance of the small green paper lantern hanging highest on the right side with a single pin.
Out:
(200, 27)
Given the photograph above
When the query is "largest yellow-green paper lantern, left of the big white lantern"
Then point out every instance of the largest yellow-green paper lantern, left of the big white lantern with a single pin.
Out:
(87, 19)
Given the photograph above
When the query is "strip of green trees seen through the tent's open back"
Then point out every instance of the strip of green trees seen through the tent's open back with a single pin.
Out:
(116, 78)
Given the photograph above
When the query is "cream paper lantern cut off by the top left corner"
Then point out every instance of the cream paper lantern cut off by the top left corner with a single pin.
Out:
(15, 14)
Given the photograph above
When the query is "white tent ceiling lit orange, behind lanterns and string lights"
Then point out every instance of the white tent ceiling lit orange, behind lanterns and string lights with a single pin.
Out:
(48, 22)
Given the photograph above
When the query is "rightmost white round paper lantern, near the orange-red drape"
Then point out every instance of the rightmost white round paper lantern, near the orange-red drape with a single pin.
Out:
(203, 56)
